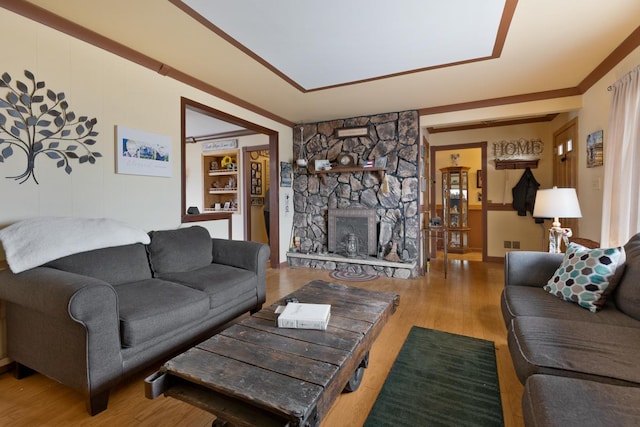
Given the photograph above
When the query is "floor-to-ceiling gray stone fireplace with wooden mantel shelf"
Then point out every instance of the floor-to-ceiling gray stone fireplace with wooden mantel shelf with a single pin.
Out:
(390, 199)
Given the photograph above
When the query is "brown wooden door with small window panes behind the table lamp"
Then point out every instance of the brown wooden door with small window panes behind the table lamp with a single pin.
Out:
(565, 164)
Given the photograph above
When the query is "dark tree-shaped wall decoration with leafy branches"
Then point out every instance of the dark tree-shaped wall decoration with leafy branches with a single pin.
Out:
(37, 126)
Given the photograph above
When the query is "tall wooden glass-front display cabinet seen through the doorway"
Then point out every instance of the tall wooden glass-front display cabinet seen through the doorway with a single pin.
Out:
(455, 207)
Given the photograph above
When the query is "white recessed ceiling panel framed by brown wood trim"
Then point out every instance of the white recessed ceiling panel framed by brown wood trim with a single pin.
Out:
(362, 40)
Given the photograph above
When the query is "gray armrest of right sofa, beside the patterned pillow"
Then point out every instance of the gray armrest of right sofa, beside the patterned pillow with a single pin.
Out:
(528, 268)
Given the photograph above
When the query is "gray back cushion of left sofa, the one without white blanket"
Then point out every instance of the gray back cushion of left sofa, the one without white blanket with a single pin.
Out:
(180, 250)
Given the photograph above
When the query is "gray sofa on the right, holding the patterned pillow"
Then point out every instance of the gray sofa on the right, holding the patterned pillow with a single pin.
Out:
(578, 367)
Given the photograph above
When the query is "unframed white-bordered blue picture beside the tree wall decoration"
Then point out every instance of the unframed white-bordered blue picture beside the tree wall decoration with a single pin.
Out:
(142, 153)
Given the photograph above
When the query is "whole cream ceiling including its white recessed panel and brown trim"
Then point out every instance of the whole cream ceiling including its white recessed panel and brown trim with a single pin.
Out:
(307, 61)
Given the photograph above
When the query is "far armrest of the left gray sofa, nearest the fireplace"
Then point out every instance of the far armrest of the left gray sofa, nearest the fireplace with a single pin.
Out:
(250, 256)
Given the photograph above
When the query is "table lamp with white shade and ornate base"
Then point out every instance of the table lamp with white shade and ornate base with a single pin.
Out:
(557, 203)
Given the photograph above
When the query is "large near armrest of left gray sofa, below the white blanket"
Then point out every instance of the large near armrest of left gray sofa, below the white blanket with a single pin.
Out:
(84, 310)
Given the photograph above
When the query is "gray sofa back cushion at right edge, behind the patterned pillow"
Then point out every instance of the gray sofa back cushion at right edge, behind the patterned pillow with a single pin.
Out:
(627, 295)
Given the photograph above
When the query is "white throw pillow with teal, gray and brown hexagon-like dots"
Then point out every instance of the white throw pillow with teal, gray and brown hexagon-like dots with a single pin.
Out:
(587, 276)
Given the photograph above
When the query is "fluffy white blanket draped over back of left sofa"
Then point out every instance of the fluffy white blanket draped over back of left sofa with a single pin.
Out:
(36, 241)
